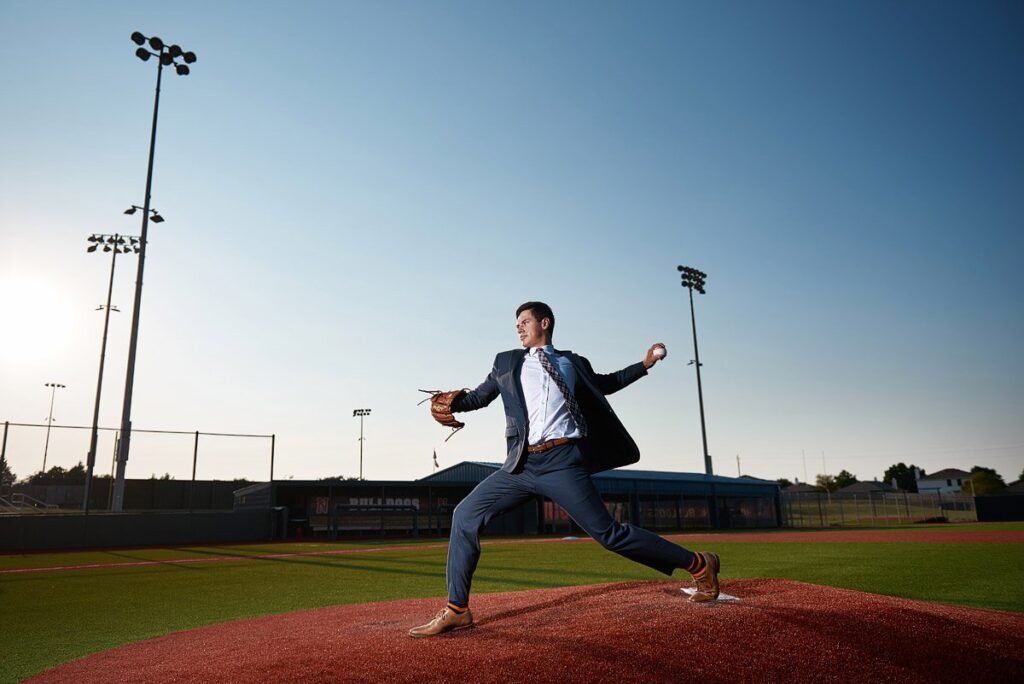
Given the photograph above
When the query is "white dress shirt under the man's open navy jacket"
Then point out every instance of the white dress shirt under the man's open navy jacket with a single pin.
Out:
(549, 417)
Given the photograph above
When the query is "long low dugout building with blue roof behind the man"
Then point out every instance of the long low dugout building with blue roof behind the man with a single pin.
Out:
(656, 501)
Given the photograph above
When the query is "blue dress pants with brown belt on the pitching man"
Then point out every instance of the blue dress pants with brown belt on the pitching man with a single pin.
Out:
(559, 475)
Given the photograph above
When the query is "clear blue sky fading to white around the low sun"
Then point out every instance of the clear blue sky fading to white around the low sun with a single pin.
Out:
(360, 195)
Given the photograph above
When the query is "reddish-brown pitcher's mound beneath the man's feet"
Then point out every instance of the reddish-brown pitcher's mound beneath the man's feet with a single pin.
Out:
(644, 631)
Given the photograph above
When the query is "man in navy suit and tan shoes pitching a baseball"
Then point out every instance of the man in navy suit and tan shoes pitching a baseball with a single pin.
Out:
(561, 430)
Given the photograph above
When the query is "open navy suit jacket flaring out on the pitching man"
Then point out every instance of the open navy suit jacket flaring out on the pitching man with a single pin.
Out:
(608, 445)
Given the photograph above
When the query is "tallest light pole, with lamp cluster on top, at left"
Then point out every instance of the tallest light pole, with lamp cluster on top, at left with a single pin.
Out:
(167, 56)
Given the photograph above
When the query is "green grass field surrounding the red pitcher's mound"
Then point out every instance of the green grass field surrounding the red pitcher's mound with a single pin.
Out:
(55, 617)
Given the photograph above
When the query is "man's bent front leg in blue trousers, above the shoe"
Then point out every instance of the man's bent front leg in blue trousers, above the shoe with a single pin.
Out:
(496, 495)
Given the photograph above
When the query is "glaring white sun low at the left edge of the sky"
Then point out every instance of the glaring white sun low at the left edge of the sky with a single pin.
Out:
(36, 319)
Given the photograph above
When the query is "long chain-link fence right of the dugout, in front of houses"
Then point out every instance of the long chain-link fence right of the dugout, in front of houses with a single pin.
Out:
(809, 509)
